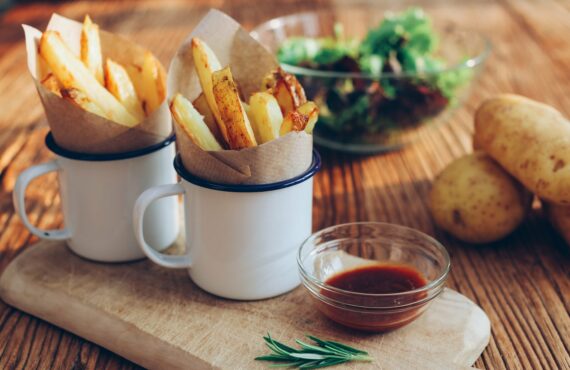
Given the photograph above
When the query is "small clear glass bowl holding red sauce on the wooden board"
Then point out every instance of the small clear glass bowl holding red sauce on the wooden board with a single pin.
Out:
(348, 246)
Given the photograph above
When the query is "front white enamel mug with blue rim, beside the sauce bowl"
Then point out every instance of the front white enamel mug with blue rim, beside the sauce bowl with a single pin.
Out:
(241, 240)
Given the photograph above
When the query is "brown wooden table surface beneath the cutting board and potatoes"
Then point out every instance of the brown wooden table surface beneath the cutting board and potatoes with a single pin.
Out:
(523, 282)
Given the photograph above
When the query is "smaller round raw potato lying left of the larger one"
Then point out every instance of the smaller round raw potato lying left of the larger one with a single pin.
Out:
(475, 200)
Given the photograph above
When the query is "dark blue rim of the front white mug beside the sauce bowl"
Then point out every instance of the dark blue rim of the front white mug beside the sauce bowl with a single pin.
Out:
(248, 188)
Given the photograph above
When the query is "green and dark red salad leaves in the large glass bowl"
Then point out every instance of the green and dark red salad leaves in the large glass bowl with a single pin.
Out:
(412, 83)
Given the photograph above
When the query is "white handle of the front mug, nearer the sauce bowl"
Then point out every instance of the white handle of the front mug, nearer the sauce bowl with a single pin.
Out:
(144, 200)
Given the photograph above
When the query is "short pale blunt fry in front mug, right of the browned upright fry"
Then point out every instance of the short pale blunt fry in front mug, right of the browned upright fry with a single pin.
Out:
(266, 116)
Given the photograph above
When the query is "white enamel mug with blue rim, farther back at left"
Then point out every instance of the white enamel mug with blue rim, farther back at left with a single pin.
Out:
(98, 192)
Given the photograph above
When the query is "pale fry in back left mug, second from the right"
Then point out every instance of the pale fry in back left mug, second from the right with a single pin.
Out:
(119, 84)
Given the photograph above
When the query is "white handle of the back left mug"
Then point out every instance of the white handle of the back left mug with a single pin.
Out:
(20, 205)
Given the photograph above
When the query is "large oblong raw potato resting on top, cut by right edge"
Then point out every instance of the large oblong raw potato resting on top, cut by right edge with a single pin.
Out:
(530, 140)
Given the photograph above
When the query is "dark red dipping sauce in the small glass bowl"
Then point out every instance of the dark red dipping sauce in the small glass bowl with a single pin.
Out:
(374, 297)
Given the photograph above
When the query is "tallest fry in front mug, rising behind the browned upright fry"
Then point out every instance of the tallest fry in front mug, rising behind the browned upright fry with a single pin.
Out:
(206, 64)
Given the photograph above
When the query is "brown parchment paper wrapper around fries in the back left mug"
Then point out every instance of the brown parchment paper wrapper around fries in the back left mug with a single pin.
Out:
(81, 131)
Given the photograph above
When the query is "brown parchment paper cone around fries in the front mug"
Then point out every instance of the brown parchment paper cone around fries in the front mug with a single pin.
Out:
(249, 61)
